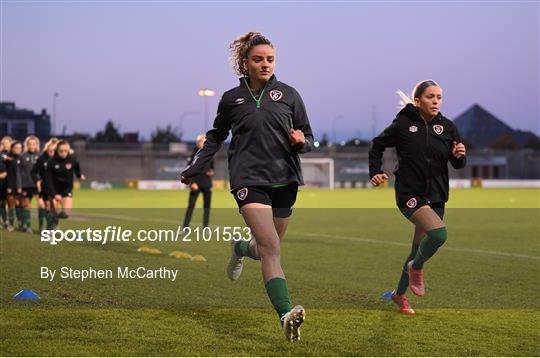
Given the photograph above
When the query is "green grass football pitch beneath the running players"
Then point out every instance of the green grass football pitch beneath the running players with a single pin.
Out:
(342, 250)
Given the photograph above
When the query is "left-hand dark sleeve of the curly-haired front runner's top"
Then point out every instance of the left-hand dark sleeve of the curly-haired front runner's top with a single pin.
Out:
(214, 139)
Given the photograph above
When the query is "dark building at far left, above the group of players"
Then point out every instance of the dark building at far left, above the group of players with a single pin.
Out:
(20, 123)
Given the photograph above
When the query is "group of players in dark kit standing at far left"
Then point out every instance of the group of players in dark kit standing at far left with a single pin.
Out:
(26, 173)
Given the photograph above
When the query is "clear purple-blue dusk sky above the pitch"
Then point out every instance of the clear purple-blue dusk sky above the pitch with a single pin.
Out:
(141, 63)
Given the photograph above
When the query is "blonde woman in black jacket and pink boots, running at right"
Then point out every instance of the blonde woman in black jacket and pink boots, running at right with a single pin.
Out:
(425, 142)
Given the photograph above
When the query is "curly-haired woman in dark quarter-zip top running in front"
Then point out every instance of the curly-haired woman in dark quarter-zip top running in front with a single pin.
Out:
(269, 128)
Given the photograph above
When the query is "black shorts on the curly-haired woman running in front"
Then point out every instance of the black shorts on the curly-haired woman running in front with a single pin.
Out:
(280, 198)
